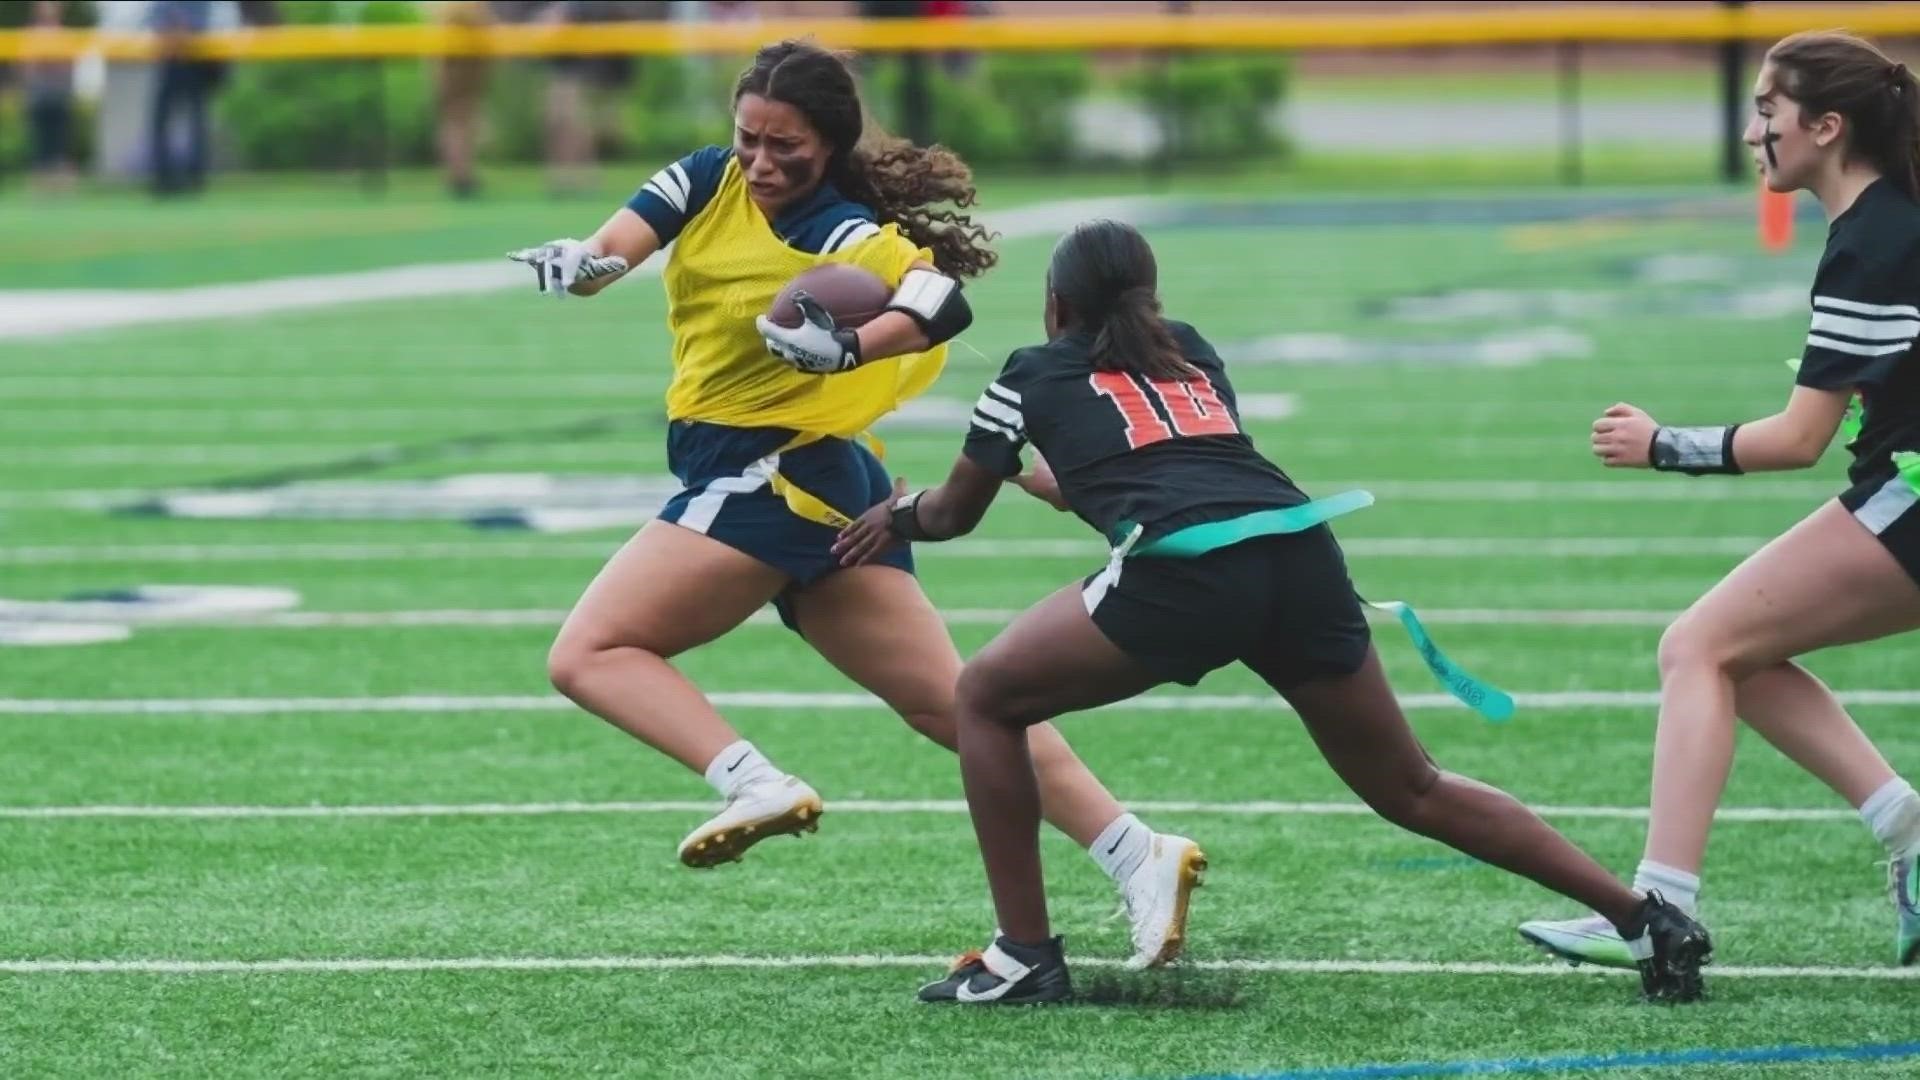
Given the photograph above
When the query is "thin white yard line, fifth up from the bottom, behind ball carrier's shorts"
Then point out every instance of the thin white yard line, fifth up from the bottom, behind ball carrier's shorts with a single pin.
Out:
(519, 551)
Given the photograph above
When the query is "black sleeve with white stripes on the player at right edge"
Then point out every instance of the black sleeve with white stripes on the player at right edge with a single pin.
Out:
(1865, 320)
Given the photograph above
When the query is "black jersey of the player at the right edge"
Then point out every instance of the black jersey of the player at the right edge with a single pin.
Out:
(1865, 322)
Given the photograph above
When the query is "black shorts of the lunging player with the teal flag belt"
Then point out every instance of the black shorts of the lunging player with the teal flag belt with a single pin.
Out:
(1284, 604)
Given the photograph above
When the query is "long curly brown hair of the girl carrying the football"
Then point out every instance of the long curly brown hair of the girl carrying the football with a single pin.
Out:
(901, 184)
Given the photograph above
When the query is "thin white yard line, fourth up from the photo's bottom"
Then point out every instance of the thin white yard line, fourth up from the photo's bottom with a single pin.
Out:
(517, 618)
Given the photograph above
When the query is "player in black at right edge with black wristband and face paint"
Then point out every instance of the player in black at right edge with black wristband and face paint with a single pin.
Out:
(1842, 120)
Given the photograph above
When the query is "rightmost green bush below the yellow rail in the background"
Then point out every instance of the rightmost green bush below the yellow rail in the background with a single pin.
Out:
(1216, 107)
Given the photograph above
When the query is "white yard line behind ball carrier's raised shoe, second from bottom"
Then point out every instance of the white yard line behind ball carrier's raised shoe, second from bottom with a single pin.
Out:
(836, 806)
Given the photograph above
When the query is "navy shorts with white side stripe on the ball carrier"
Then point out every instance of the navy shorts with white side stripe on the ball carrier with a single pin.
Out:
(731, 497)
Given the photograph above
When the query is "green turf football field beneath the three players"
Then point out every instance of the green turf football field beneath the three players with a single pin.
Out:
(539, 925)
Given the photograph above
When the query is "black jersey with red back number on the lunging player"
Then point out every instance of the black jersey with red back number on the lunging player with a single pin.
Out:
(1163, 454)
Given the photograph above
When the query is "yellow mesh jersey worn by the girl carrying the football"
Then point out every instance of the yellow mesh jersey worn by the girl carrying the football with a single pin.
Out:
(725, 270)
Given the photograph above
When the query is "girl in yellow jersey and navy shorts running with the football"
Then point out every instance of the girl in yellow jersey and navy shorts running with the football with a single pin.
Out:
(765, 431)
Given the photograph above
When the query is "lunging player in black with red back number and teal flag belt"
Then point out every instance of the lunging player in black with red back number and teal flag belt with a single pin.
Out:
(1218, 558)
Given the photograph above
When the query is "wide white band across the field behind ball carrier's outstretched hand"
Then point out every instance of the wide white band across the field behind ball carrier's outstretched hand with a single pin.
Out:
(36, 314)
